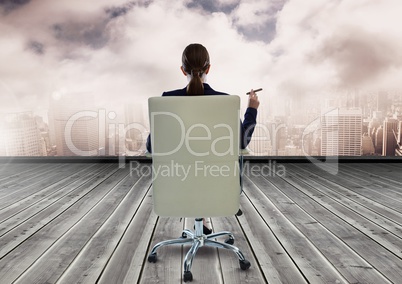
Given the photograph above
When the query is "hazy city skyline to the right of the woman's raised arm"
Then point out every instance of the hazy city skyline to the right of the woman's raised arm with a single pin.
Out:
(350, 124)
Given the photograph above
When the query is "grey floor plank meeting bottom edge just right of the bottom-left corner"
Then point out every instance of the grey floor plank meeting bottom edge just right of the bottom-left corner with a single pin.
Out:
(61, 254)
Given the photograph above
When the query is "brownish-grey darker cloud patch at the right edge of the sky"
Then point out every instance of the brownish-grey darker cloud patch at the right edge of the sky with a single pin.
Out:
(358, 56)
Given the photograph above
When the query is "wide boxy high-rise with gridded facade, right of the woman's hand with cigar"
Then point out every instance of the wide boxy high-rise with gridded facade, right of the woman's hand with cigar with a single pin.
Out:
(341, 132)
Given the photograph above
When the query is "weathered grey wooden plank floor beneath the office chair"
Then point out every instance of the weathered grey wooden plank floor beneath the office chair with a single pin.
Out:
(94, 223)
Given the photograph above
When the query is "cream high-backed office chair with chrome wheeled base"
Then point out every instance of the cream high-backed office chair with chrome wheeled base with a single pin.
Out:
(197, 138)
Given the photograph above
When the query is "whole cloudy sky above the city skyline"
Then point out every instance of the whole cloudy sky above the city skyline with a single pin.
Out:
(117, 52)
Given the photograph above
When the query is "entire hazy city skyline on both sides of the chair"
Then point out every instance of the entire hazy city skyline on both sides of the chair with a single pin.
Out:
(350, 124)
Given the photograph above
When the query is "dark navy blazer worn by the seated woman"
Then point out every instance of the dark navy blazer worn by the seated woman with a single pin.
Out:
(247, 125)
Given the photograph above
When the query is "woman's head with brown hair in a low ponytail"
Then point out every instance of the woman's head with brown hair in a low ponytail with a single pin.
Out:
(195, 62)
